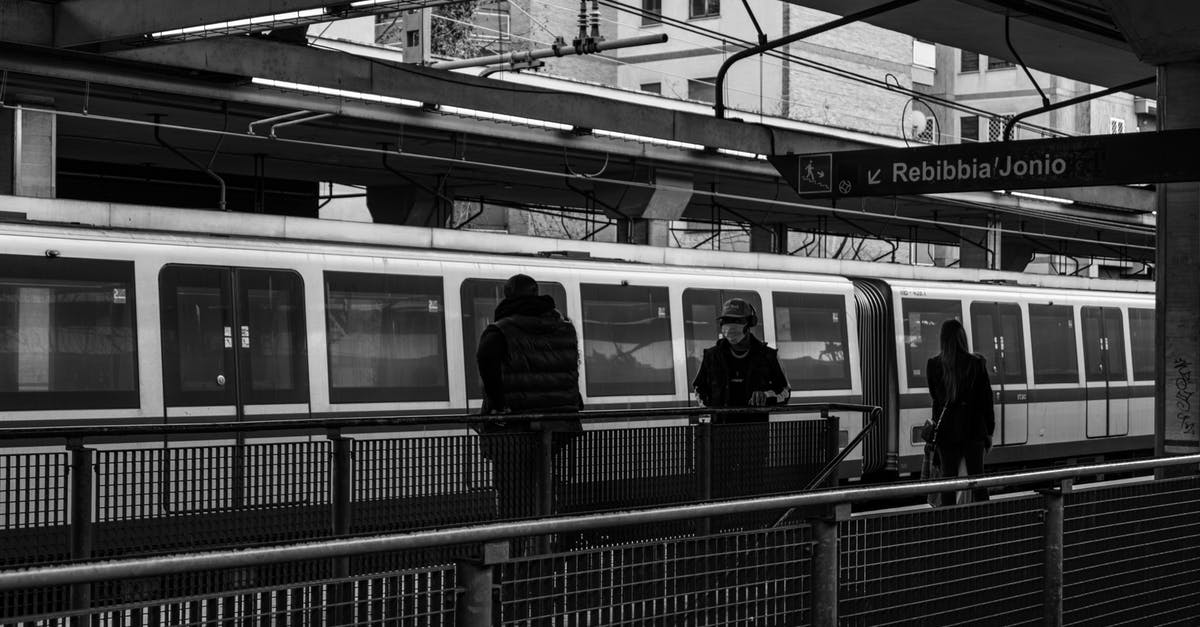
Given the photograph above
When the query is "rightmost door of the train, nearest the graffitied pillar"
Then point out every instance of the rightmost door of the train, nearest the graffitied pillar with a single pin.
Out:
(1105, 366)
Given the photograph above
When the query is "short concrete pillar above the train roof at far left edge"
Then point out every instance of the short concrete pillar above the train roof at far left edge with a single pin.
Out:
(28, 153)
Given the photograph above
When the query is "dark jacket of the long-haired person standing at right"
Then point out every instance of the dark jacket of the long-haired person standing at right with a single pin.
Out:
(971, 416)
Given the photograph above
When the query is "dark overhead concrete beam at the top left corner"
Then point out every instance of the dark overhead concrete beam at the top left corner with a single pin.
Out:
(91, 22)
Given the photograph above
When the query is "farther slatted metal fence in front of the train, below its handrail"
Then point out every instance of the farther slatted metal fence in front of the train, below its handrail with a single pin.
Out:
(283, 481)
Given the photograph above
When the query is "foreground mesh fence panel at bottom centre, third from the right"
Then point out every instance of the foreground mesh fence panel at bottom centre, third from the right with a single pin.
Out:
(759, 578)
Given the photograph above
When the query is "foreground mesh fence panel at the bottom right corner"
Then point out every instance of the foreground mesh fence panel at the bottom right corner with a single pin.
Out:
(1132, 554)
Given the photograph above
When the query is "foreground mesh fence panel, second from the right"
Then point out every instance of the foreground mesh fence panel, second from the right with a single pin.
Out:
(973, 565)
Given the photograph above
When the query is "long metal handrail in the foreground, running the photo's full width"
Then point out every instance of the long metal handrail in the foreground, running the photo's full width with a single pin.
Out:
(467, 535)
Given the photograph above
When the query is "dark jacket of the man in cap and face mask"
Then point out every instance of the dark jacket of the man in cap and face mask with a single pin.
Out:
(764, 373)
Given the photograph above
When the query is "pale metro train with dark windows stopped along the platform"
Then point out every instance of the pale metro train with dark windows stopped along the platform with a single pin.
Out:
(121, 314)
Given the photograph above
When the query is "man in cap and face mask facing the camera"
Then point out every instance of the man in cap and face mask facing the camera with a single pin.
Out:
(740, 372)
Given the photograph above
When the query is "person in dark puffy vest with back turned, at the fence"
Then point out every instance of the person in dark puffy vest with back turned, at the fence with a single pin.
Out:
(530, 363)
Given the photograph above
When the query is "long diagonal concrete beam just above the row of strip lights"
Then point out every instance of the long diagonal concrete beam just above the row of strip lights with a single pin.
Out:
(267, 59)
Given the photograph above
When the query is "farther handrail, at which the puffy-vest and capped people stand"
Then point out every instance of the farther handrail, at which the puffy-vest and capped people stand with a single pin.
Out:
(465, 420)
